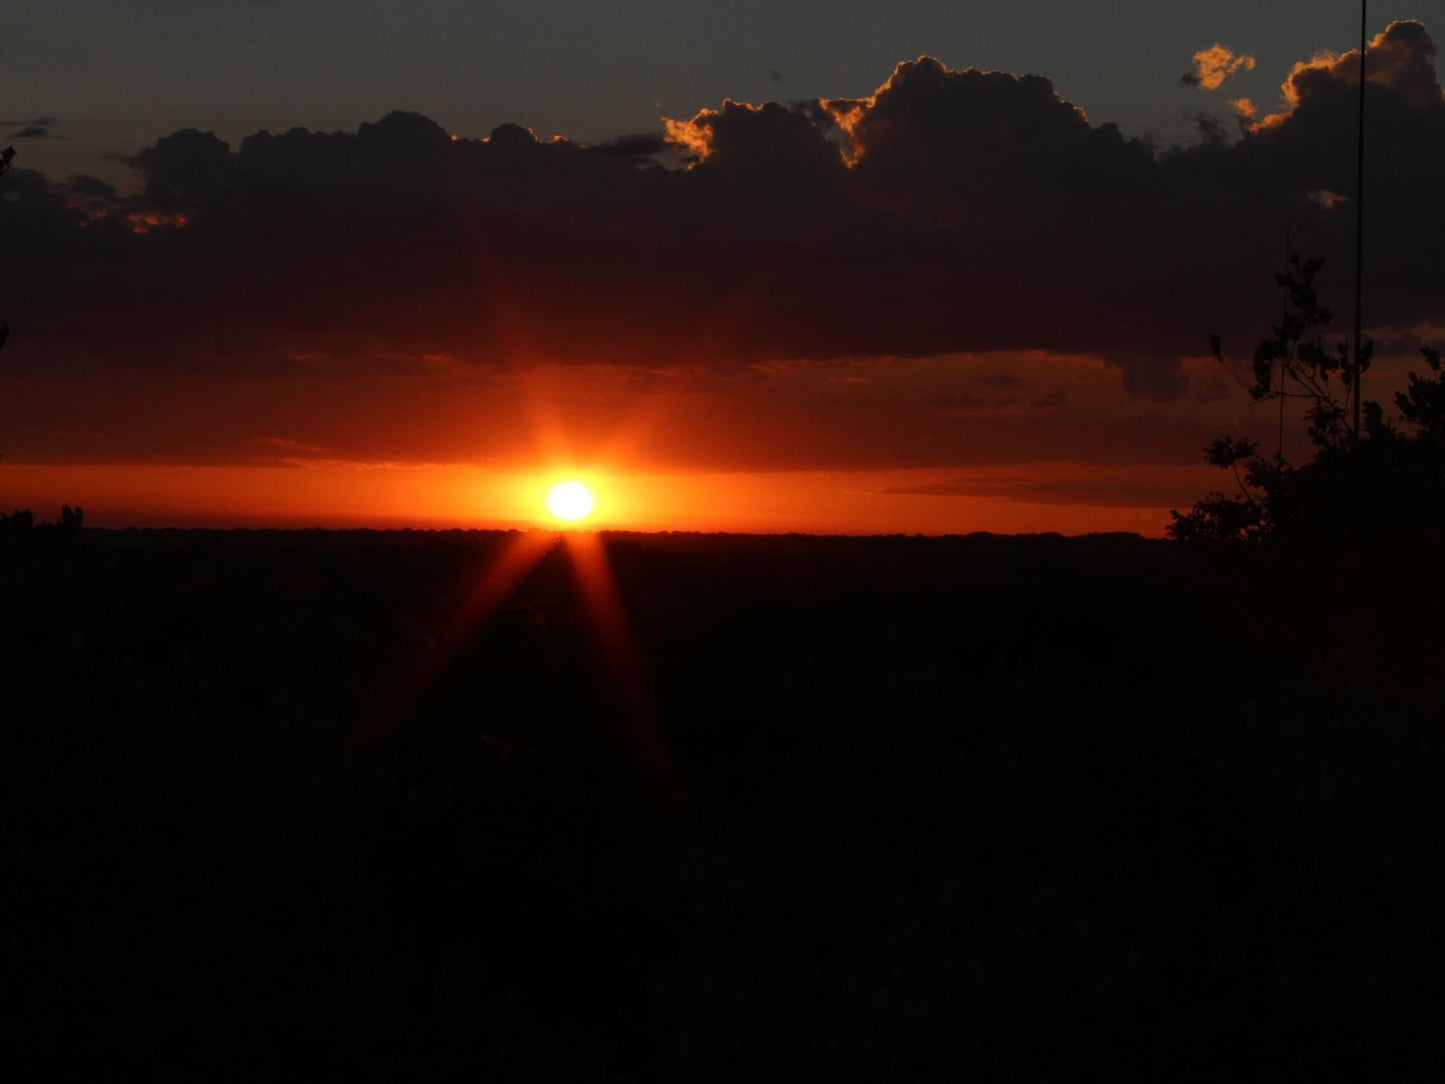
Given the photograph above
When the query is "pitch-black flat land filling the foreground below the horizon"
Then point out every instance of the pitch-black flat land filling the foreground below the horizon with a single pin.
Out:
(927, 810)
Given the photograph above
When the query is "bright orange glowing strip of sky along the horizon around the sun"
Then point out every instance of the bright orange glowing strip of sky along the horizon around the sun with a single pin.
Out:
(996, 499)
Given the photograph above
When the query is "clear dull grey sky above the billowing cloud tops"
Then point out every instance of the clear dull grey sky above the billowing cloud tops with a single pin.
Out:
(121, 73)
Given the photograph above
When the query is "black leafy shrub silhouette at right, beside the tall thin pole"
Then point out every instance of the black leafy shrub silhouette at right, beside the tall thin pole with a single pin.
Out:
(1385, 483)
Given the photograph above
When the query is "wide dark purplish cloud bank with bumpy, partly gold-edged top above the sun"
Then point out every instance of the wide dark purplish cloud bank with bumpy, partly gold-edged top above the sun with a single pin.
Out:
(952, 212)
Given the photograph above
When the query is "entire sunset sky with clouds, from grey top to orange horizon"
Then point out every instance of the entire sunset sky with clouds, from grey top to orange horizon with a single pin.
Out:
(908, 268)
